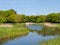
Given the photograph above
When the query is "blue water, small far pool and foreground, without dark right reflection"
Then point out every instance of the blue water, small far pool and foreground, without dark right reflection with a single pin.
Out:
(32, 38)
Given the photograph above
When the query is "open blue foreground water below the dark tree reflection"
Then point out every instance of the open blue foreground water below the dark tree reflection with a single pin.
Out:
(31, 39)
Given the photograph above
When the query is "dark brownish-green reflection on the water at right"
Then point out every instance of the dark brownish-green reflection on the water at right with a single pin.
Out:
(47, 31)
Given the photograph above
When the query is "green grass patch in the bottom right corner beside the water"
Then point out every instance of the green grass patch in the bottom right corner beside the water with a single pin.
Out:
(55, 41)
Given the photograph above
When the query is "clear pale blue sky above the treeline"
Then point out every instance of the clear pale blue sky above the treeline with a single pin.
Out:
(31, 7)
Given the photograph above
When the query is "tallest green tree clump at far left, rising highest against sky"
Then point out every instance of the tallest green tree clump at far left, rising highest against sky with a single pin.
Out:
(9, 15)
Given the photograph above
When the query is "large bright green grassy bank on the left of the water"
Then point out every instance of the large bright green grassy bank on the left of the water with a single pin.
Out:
(12, 32)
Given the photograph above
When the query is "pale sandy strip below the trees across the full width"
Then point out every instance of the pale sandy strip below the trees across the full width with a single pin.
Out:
(29, 23)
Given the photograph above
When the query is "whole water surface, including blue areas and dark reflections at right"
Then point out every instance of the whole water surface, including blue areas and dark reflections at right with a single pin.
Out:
(36, 34)
